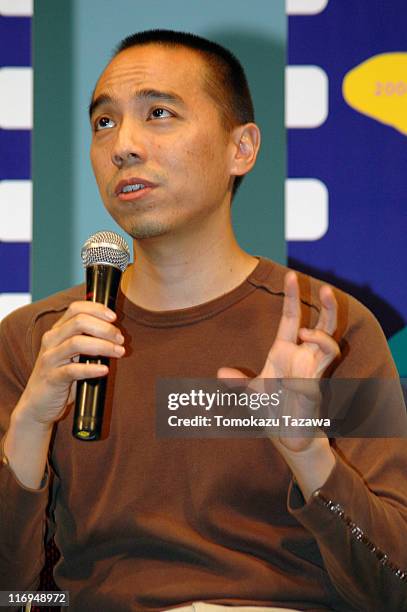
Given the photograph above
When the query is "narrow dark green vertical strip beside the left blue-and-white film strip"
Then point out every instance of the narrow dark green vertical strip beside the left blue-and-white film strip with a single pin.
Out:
(53, 163)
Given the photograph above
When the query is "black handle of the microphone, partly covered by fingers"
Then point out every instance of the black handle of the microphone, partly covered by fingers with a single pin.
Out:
(102, 284)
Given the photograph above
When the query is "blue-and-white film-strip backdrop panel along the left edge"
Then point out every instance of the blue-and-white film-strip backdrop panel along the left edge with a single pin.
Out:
(15, 144)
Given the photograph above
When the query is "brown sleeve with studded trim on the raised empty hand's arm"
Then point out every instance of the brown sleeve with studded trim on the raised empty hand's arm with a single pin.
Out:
(359, 516)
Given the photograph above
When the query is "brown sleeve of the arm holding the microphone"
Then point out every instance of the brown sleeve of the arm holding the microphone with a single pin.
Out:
(22, 510)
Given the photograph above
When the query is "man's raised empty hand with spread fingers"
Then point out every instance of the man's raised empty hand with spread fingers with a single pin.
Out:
(298, 353)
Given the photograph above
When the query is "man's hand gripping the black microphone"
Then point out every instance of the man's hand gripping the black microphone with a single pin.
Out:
(85, 328)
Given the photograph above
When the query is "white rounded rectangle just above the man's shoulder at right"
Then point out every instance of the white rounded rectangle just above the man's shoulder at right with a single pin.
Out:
(306, 209)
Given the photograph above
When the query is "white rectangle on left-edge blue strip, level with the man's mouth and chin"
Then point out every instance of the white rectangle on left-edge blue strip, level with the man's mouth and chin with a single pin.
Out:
(15, 211)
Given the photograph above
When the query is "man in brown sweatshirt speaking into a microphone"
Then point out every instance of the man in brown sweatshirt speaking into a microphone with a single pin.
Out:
(149, 524)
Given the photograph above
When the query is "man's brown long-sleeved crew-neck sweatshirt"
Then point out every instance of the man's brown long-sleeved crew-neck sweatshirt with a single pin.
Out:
(145, 524)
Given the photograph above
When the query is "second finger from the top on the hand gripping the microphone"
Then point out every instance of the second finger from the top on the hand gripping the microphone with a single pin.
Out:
(82, 324)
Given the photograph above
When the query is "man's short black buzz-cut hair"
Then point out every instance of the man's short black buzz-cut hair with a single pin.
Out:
(225, 82)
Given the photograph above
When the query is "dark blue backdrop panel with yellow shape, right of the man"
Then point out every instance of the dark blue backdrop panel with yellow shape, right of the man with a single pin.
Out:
(358, 152)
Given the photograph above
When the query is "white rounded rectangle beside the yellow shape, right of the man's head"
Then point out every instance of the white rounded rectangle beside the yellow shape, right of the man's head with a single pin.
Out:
(306, 96)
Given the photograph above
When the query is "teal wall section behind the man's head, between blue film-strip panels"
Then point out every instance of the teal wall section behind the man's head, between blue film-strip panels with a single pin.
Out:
(72, 43)
